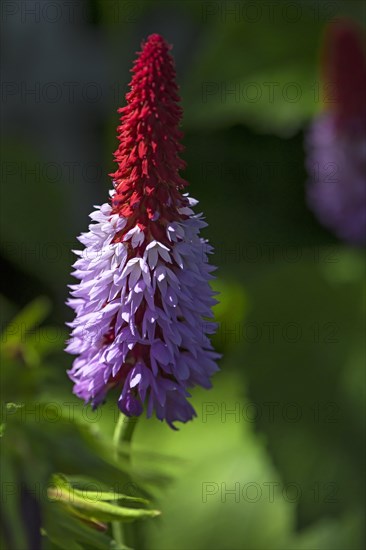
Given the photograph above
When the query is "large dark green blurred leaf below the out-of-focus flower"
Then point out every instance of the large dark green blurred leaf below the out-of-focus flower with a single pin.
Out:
(307, 364)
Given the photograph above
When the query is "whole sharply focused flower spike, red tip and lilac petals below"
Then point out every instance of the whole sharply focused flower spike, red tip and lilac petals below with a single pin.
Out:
(144, 301)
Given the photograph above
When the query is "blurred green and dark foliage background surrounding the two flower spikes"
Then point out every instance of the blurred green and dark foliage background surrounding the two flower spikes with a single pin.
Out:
(275, 458)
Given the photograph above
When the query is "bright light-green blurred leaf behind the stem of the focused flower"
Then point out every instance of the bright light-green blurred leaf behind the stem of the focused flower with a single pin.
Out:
(223, 459)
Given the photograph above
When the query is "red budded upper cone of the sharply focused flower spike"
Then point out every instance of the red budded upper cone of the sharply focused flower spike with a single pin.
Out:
(147, 179)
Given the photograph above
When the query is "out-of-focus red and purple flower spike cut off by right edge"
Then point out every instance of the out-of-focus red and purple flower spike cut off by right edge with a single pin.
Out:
(336, 143)
